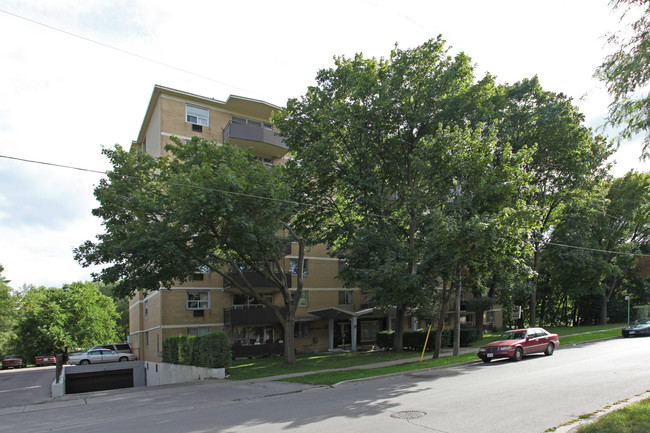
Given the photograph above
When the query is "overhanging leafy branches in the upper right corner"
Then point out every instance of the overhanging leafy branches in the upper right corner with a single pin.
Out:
(627, 75)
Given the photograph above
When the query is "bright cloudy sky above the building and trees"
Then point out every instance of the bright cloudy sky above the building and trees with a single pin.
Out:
(76, 77)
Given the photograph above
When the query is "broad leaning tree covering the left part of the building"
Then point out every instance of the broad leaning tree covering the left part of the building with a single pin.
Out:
(201, 205)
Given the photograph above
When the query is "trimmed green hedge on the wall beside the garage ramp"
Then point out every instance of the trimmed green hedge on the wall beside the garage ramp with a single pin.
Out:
(211, 350)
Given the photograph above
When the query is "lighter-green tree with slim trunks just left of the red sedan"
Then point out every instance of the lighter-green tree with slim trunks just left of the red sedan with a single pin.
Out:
(478, 219)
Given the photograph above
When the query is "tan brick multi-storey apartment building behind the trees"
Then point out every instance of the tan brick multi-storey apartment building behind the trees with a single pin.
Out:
(328, 316)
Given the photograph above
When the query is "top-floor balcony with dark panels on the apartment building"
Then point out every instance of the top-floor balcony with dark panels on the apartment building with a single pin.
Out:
(262, 139)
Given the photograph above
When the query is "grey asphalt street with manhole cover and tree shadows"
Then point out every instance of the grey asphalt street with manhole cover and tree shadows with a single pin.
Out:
(528, 396)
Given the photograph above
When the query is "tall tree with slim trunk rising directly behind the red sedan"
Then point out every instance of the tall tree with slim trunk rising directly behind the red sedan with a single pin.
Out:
(567, 156)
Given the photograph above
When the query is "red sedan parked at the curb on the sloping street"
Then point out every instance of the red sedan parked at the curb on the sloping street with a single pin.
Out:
(518, 343)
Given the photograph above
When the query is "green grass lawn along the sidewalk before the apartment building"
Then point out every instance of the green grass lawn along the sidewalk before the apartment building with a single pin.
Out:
(312, 364)
